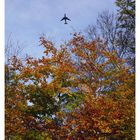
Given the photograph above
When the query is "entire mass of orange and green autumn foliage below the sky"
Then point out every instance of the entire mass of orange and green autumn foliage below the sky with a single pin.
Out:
(80, 91)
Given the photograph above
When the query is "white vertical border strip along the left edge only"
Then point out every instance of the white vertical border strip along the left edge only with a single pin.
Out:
(2, 87)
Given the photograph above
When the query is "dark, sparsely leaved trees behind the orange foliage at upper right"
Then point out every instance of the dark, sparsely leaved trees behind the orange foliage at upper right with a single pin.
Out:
(117, 30)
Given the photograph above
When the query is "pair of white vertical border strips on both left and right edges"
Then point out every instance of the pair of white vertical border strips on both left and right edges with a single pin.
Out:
(2, 87)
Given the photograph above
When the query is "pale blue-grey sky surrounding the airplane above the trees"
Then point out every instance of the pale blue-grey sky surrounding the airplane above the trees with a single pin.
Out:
(27, 20)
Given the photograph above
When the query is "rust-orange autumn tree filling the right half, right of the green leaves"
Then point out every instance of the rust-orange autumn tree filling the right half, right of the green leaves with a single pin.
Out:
(107, 111)
